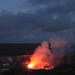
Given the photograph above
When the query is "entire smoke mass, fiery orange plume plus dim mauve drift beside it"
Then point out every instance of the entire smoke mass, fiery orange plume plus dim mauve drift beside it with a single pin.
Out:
(48, 56)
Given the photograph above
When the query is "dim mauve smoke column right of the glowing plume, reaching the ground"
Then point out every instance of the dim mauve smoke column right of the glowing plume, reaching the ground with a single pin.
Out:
(59, 46)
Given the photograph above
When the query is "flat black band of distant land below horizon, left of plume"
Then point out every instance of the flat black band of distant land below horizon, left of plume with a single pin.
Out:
(17, 49)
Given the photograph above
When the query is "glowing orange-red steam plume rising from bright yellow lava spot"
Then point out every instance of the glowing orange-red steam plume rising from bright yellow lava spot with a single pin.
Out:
(42, 58)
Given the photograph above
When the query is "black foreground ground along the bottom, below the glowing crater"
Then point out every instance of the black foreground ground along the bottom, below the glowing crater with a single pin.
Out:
(61, 70)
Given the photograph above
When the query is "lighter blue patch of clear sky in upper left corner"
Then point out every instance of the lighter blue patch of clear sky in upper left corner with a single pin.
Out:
(11, 5)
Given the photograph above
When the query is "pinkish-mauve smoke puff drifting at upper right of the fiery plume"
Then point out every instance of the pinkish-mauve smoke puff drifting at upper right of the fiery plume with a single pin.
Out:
(59, 44)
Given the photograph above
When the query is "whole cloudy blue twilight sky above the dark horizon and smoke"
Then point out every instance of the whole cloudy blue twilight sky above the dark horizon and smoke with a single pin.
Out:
(28, 21)
